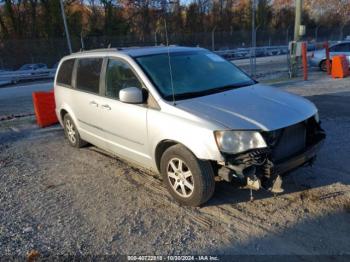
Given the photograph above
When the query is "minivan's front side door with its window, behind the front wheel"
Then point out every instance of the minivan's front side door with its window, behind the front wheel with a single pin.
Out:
(124, 124)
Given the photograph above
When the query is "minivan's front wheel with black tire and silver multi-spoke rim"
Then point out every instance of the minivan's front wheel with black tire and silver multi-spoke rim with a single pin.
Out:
(189, 180)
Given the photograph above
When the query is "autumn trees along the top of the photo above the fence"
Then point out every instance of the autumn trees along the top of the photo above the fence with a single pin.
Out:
(41, 19)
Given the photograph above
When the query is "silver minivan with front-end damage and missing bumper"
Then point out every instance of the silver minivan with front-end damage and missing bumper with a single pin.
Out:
(188, 114)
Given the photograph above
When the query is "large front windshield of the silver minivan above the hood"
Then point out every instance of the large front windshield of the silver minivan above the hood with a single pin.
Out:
(194, 73)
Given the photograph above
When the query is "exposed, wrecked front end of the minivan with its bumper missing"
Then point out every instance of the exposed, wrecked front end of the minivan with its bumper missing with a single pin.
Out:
(288, 149)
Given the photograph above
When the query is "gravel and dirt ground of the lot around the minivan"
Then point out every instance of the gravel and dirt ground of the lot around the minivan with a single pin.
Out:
(57, 200)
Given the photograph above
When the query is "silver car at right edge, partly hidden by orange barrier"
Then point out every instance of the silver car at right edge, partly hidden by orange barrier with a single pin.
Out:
(318, 58)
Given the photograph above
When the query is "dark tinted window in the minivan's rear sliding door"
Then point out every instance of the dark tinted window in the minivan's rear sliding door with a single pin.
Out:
(88, 74)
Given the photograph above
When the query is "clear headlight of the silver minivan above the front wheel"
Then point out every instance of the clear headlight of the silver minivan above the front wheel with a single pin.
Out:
(238, 141)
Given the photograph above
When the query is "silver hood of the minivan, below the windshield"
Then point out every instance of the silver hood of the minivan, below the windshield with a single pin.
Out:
(256, 107)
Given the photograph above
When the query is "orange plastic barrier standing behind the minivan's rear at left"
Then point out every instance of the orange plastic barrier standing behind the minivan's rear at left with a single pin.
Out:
(44, 107)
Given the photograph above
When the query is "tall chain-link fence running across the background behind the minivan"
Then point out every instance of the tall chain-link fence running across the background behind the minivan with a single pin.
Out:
(233, 45)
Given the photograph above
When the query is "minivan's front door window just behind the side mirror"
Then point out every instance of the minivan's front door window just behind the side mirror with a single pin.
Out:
(118, 76)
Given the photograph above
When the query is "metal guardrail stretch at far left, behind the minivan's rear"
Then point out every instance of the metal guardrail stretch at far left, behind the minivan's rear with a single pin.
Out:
(13, 77)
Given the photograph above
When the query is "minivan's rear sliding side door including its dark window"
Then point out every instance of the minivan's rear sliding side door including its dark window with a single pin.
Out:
(87, 101)
